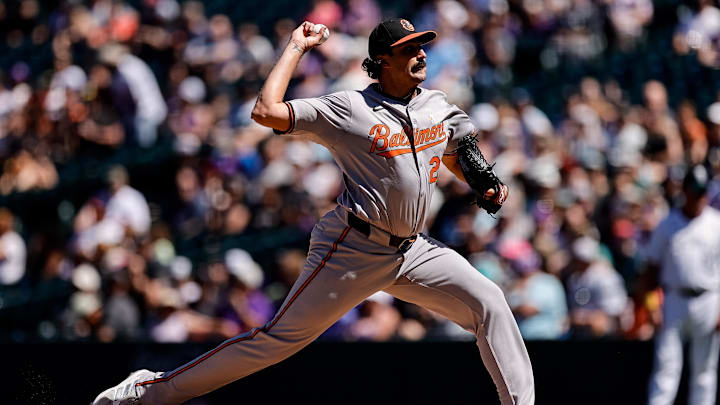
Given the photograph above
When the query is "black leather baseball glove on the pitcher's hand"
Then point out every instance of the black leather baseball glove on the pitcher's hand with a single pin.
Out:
(480, 176)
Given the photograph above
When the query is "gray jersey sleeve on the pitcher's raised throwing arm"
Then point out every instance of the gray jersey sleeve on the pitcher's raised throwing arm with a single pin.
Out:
(321, 119)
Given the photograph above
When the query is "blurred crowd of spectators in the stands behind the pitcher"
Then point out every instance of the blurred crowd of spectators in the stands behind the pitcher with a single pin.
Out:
(587, 187)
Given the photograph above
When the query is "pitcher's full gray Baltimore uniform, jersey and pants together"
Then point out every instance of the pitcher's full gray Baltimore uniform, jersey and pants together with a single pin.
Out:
(389, 186)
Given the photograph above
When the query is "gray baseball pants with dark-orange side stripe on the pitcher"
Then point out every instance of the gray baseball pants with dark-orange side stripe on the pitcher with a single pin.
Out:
(343, 268)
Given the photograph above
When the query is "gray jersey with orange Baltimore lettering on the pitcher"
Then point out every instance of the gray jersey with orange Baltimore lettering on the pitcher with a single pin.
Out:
(367, 134)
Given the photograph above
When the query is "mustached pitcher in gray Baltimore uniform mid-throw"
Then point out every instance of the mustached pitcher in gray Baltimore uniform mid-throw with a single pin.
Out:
(389, 140)
